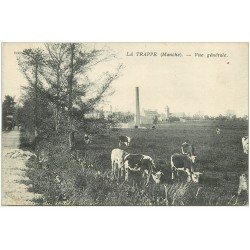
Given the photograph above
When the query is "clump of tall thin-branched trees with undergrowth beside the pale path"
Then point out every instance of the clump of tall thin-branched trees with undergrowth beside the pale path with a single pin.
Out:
(59, 91)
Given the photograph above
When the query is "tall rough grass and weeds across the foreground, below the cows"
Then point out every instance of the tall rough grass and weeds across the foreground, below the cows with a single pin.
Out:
(64, 181)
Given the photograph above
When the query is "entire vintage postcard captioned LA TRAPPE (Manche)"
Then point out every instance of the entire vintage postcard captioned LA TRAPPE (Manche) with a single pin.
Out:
(125, 124)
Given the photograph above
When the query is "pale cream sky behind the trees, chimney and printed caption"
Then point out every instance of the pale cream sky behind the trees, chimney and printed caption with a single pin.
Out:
(190, 82)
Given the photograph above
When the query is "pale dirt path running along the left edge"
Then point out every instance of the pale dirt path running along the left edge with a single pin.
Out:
(13, 172)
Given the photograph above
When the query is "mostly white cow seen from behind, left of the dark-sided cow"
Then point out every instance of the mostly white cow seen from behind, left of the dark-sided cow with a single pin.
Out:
(117, 162)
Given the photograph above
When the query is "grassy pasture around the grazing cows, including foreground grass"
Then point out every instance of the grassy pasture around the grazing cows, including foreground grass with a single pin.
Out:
(219, 157)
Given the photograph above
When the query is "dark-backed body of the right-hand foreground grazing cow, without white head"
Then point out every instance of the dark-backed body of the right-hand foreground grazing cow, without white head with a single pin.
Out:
(180, 162)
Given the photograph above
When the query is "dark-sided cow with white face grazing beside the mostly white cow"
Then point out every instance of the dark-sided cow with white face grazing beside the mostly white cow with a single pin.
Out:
(139, 167)
